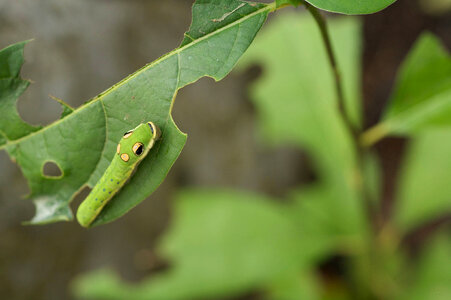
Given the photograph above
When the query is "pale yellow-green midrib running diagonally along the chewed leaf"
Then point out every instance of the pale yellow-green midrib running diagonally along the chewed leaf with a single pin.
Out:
(268, 7)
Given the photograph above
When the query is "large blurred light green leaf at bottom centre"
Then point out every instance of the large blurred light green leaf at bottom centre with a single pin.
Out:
(221, 243)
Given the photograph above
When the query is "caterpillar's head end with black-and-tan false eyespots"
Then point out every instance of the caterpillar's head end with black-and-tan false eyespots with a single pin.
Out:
(135, 143)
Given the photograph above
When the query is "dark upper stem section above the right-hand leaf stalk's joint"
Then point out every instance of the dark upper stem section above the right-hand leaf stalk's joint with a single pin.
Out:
(321, 21)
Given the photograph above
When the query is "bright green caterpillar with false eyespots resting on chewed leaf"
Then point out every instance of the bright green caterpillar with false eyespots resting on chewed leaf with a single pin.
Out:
(131, 150)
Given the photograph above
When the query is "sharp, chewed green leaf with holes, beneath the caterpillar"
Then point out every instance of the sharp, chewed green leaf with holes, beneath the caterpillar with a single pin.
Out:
(83, 143)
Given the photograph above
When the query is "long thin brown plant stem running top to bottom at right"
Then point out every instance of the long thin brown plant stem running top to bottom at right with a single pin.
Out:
(369, 272)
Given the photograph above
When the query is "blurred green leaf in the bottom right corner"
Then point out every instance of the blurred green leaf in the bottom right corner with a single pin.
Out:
(432, 277)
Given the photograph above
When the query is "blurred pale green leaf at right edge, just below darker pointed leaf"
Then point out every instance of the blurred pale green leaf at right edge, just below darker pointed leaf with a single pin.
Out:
(424, 189)
